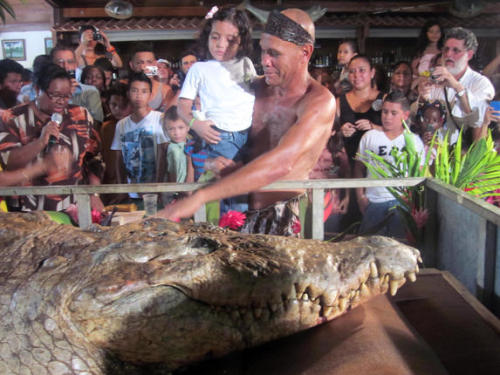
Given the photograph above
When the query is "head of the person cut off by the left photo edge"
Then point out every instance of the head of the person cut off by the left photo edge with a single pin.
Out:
(10, 82)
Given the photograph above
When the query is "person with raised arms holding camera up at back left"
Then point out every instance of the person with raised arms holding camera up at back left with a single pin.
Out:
(90, 37)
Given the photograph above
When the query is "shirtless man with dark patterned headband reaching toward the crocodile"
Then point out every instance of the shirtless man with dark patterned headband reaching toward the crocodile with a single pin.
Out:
(292, 121)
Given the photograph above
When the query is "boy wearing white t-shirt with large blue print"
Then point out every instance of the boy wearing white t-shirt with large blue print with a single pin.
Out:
(138, 135)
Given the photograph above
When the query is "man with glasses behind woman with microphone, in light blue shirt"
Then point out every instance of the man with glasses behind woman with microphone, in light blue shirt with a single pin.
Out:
(84, 95)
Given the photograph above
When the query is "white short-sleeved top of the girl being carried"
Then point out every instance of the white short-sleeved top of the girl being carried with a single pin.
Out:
(224, 90)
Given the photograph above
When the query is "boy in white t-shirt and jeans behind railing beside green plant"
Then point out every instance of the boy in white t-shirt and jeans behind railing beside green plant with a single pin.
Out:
(375, 202)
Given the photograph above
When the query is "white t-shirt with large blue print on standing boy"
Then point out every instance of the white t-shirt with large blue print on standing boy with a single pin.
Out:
(138, 144)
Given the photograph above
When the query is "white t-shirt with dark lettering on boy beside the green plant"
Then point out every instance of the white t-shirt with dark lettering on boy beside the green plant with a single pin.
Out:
(377, 142)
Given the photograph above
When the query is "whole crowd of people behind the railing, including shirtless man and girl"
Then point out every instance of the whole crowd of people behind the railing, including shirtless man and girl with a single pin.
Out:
(73, 121)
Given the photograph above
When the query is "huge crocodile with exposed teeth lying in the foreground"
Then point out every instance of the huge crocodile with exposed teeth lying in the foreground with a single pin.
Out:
(117, 300)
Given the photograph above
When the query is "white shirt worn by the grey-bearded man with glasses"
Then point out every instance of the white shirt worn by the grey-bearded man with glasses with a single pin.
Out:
(479, 91)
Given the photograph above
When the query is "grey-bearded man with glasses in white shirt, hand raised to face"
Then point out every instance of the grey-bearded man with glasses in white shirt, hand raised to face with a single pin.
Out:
(465, 92)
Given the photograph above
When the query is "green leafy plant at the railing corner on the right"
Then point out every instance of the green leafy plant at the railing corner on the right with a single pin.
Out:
(476, 171)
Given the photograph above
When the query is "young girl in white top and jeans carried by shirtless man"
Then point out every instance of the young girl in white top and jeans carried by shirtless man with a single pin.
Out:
(222, 83)
